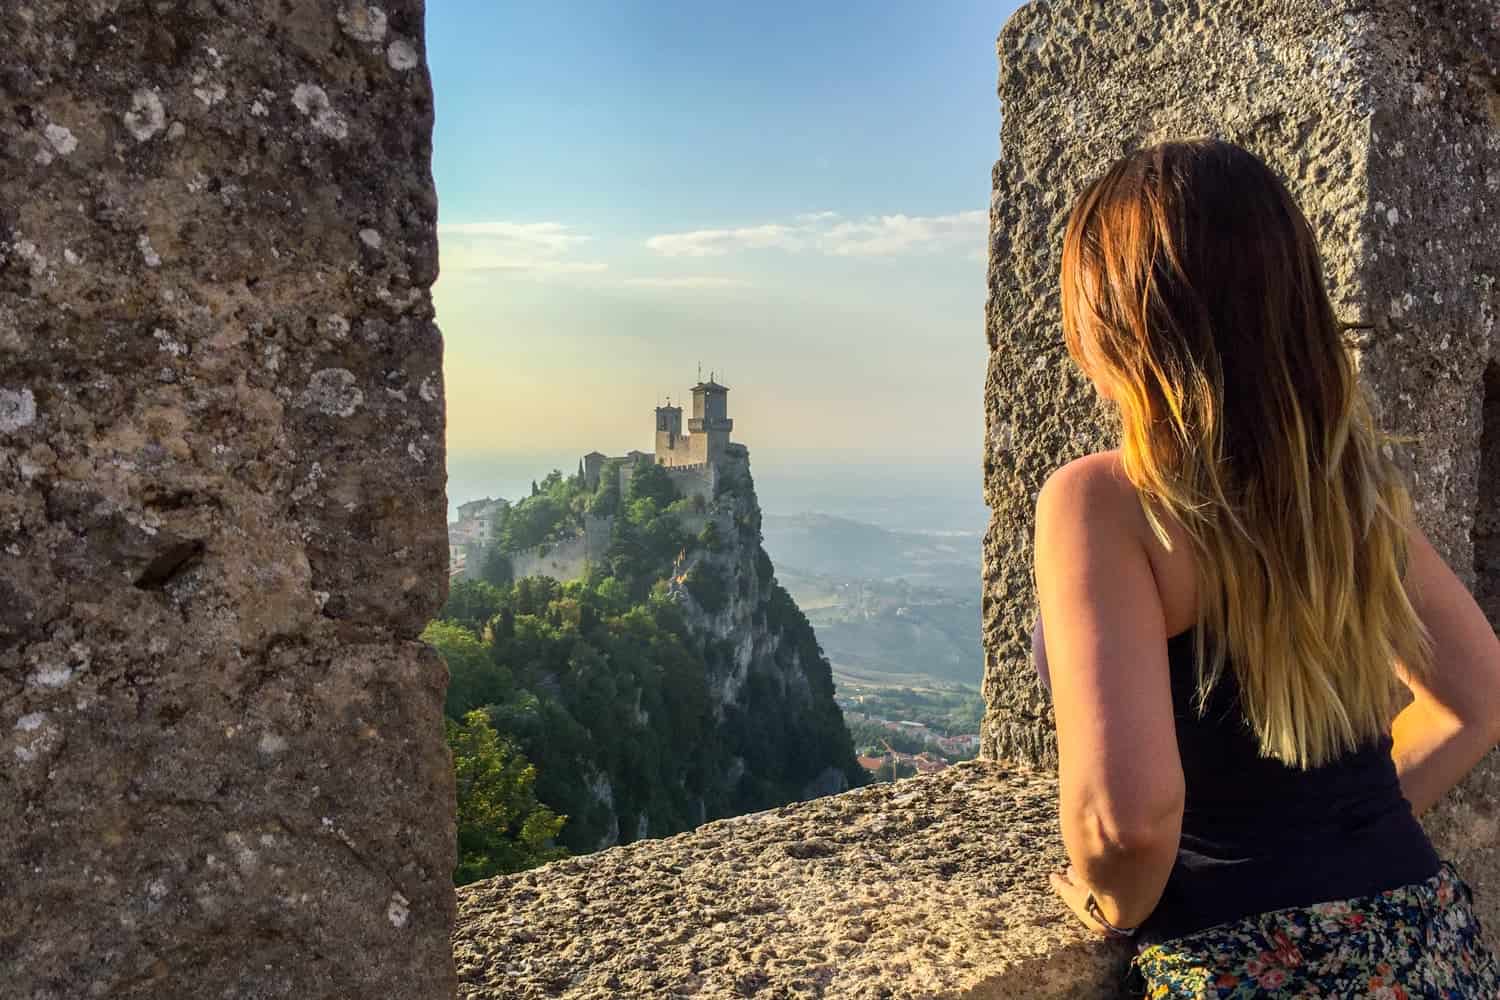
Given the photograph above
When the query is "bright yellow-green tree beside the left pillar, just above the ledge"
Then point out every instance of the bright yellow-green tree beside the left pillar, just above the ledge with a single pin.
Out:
(502, 827)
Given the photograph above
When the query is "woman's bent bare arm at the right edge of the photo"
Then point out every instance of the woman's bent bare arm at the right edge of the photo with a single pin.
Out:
(1454, 717)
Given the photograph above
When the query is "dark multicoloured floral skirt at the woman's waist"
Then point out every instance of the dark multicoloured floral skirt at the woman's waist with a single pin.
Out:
(1420, 941)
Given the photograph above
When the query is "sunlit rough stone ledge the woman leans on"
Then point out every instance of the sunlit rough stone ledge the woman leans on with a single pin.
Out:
(928, 888)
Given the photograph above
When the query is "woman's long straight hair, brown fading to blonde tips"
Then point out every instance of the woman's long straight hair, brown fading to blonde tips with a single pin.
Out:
(1192, 286)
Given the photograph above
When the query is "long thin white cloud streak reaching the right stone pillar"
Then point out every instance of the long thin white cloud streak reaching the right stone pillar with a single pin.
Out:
(826, 233)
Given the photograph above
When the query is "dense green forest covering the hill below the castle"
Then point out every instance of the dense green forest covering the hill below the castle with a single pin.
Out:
(592, 711)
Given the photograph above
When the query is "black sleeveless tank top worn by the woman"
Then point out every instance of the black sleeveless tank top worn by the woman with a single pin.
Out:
(1259, 836)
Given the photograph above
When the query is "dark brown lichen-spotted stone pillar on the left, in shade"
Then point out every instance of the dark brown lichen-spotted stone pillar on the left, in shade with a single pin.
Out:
(221, 504)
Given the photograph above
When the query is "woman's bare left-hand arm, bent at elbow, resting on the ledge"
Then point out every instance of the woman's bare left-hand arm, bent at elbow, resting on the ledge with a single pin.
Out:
(1121, 786)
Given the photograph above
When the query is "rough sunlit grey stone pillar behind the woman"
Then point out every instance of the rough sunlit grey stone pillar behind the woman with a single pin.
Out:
(1385, 121)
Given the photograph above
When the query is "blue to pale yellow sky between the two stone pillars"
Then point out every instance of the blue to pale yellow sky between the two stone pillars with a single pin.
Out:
(794, 197)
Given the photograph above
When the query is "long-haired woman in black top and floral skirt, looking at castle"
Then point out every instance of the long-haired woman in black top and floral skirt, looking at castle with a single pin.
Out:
(1238, 600)
